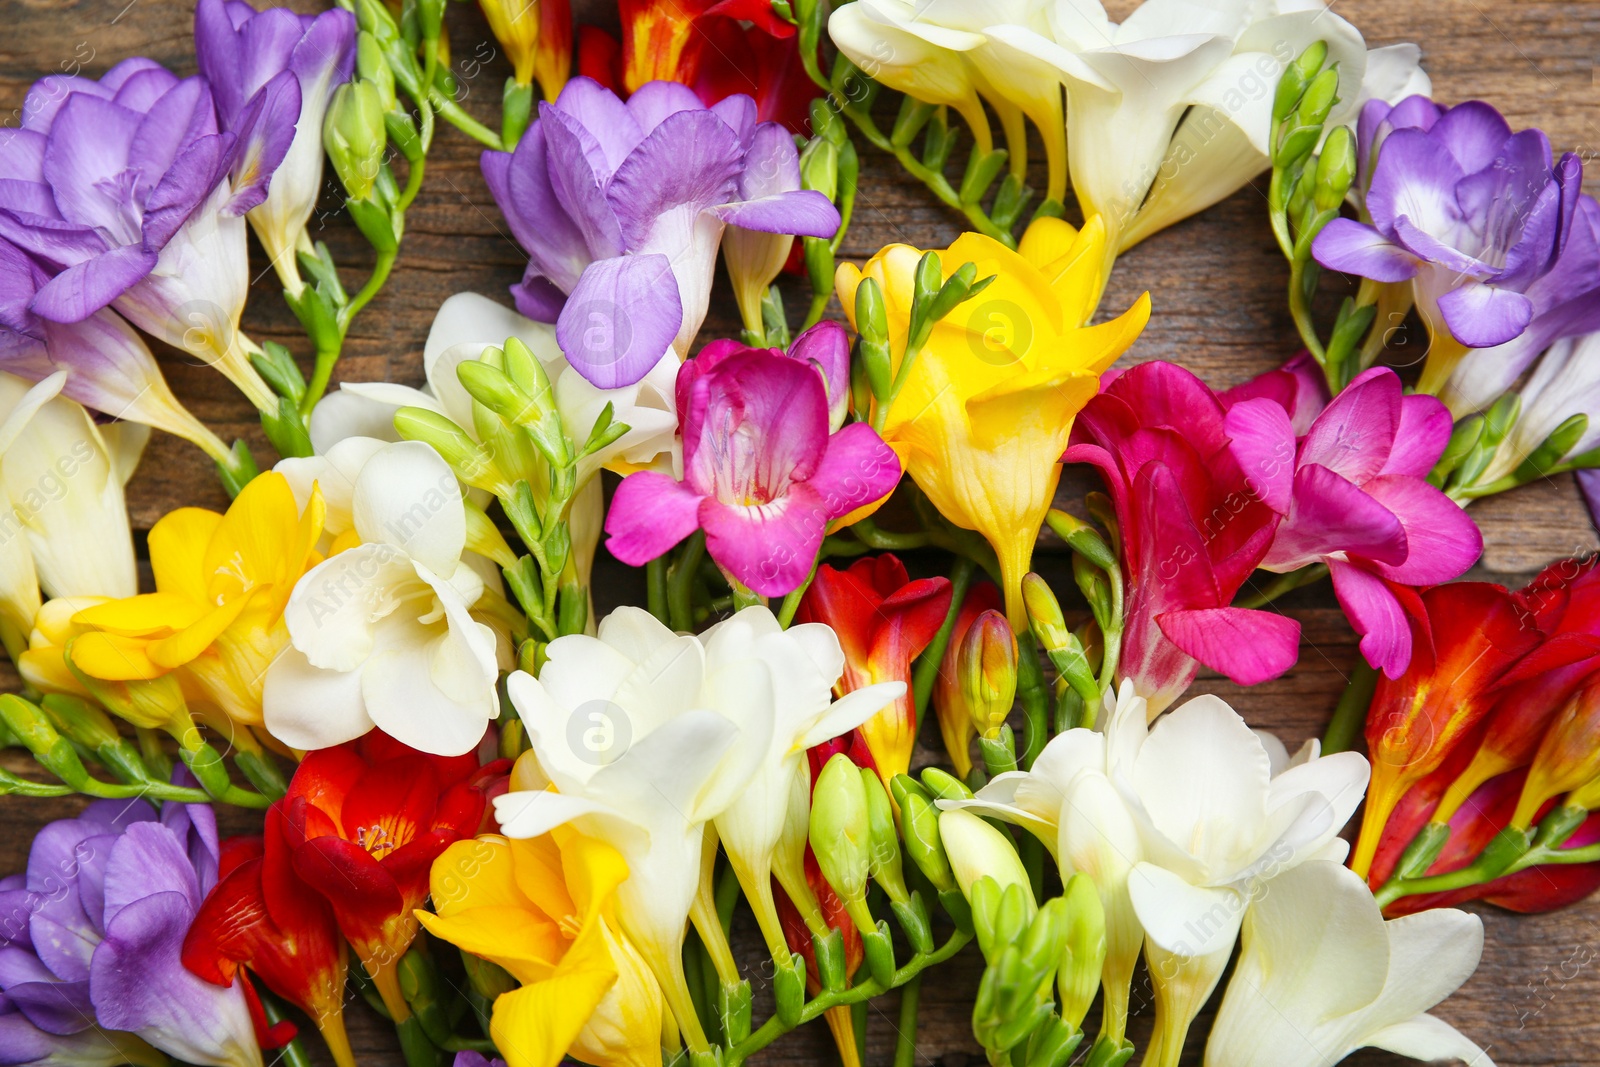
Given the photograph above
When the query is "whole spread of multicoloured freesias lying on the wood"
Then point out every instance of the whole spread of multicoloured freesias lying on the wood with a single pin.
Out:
(519, 831)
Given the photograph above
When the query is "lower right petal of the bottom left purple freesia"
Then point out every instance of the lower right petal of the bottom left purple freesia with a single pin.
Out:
(138, 983)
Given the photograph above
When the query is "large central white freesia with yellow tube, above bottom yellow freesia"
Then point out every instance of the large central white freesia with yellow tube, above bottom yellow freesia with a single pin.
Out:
(642, 737)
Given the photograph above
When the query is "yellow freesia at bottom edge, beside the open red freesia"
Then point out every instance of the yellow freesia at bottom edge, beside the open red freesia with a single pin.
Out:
(542, 909)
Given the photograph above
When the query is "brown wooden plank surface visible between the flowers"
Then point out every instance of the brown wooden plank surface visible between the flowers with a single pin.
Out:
(1218, 292)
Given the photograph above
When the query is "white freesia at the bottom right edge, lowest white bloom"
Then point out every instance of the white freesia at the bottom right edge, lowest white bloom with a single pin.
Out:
(1324, 975)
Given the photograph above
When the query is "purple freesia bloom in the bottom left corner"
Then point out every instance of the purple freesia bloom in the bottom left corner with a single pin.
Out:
(92, 938)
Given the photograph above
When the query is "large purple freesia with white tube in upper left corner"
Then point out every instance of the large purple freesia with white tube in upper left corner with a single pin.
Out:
(174, 265)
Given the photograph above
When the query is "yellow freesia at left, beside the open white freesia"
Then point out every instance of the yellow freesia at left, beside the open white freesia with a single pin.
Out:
(217, 615)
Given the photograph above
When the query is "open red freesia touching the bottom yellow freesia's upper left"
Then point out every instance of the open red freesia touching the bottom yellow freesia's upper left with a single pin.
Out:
(364, 825)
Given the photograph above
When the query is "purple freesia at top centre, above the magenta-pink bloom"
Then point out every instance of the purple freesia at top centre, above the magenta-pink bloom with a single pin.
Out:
(622, 209)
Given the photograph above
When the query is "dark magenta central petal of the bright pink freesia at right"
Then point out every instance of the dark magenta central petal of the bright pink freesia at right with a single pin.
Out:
(1332, 516)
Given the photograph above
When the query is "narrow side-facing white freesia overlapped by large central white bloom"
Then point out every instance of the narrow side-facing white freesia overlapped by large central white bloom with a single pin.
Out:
(806, 661)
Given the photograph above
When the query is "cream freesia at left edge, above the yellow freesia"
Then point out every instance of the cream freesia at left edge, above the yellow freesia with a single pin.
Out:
(63, 503)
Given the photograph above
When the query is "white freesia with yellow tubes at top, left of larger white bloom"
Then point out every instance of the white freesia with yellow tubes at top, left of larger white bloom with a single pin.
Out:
(959, 52)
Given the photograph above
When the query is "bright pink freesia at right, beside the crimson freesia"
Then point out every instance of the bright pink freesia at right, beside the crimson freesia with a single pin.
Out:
(1358, 500)
